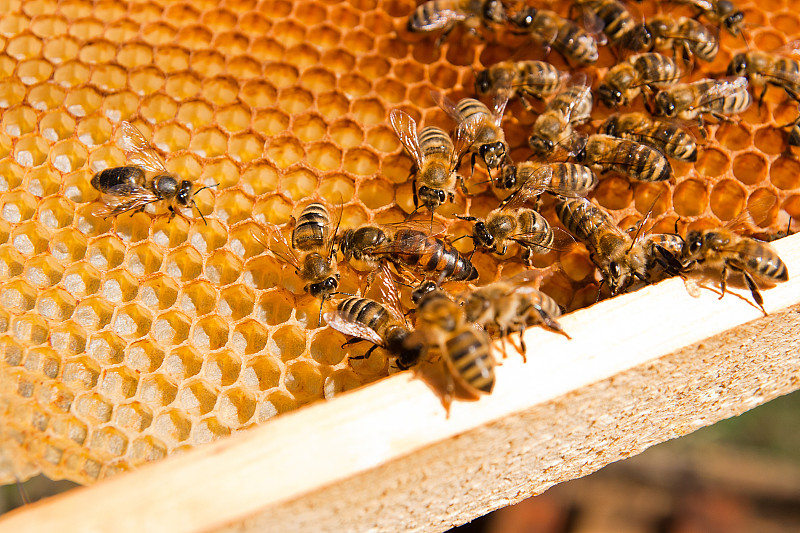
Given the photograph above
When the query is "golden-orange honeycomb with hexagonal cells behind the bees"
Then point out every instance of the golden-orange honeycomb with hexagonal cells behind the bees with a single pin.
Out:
(125, 340)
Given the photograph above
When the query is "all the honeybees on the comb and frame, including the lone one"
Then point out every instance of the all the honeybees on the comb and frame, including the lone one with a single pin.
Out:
(566, 162)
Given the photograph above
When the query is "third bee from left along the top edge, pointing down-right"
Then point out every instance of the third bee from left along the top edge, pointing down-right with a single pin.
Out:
(616, 22)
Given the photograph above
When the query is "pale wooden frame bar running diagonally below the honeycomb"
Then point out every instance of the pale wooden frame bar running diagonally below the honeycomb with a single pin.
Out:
(641, 369)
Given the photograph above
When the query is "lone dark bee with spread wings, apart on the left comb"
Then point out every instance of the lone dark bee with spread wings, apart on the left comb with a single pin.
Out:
(127, 188)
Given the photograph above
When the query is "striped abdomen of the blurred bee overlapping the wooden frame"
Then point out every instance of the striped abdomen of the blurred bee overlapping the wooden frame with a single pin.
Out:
(468, 357)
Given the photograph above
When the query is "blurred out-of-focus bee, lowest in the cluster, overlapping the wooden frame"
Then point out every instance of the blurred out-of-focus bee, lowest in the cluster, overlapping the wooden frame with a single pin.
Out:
(466, 350)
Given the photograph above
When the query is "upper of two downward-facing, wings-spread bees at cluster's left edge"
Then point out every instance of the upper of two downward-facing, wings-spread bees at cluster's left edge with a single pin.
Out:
(482, 130)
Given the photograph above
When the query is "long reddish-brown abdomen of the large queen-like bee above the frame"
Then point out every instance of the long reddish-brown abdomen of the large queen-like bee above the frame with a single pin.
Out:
(423, 253)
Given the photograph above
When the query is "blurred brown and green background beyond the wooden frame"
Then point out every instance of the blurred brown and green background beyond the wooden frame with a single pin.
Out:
(741, 475)
